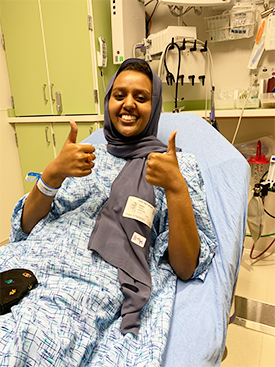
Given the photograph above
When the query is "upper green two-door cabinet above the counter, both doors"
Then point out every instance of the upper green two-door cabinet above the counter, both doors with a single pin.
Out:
(49, 56)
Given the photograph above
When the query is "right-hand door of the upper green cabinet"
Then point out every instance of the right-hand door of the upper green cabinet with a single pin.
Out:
(68, 46)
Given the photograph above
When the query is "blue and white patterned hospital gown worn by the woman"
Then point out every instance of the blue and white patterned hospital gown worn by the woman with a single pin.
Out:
(73, 317)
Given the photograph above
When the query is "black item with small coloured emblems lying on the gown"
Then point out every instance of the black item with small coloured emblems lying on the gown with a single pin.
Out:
(14, 285)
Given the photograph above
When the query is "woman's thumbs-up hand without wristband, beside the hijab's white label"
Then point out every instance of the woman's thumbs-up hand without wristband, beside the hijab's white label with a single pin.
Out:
(163, 169)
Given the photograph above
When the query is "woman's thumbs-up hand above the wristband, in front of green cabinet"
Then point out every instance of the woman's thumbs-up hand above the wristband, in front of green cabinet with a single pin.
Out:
(74, 160)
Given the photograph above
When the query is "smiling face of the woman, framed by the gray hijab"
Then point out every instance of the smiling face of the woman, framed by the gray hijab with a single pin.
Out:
(130, 102)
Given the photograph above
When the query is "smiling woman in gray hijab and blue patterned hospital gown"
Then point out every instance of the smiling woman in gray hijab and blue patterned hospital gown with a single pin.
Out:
(173, 237)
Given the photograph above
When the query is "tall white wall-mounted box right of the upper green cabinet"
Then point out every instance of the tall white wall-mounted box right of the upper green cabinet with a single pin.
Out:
(128, 27)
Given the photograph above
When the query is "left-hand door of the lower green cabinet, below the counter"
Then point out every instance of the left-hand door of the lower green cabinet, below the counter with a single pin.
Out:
(35, 148)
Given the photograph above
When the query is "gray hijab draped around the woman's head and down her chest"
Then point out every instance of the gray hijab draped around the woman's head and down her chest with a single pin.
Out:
(113, 233)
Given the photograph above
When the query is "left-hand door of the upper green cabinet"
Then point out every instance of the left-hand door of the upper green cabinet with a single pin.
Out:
(20, 23)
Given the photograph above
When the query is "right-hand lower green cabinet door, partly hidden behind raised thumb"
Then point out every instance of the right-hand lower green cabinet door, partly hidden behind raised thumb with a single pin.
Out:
(61, 132)
